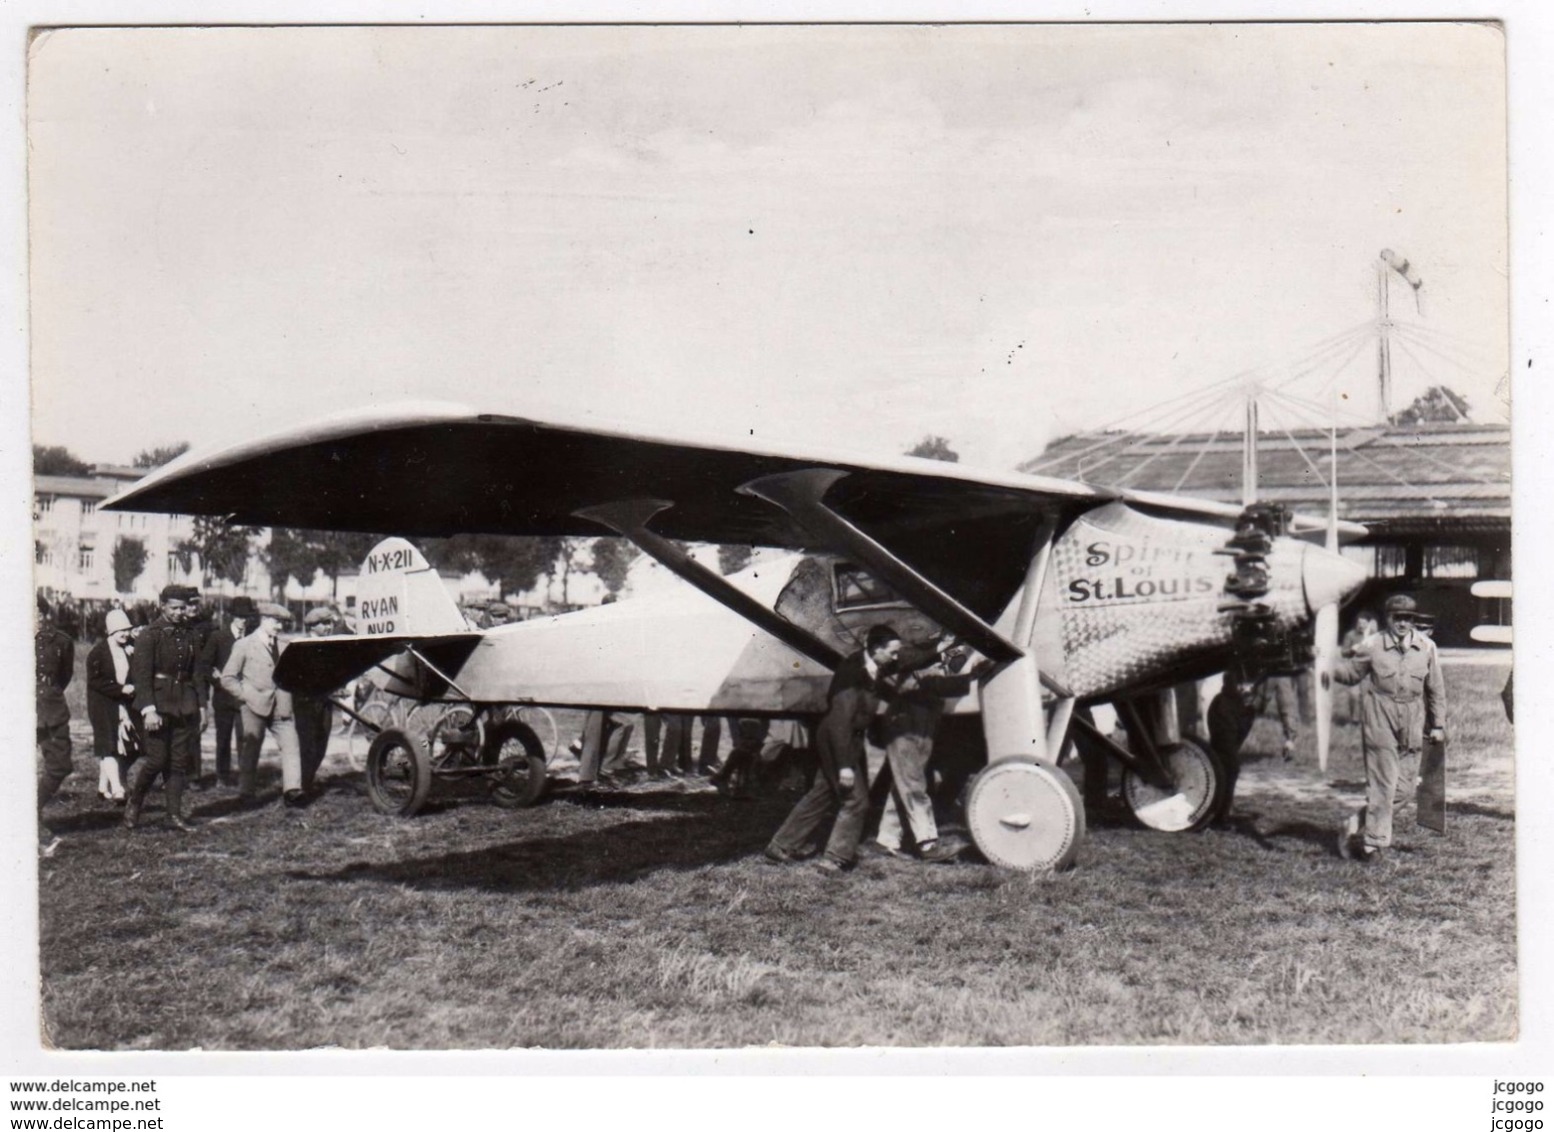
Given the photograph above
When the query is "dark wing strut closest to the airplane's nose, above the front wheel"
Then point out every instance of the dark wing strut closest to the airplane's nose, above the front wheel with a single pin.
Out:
(801, 495)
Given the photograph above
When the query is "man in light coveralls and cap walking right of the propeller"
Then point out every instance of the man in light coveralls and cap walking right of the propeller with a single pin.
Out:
(1402, 696)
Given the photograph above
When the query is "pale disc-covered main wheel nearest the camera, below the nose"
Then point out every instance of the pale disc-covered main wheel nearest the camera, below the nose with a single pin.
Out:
(1025, 816)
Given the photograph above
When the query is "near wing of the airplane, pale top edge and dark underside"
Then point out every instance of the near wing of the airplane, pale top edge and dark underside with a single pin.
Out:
(434, 470)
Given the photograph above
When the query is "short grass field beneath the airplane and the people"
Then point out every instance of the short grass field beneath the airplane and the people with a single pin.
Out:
(649, 920)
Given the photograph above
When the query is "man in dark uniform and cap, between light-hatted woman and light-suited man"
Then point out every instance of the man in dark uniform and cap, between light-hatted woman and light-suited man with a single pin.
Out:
(169, 694)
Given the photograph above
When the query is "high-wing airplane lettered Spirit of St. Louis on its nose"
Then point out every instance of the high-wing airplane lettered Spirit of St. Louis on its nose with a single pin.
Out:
(1078, 596)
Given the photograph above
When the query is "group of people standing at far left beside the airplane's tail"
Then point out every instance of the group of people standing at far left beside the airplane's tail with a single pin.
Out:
(155, 683)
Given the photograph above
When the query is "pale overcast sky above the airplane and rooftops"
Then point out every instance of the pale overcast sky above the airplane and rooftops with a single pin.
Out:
(840, 236)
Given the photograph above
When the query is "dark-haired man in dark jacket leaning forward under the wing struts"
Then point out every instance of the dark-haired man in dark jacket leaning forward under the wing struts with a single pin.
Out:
(843, 784)
